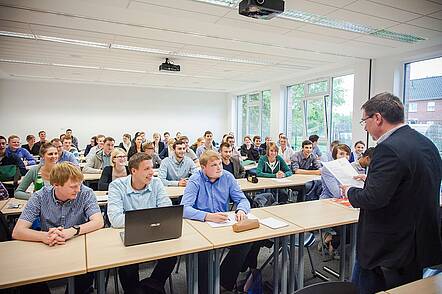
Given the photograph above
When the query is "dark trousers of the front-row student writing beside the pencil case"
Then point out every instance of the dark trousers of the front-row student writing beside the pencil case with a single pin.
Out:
(238, 259)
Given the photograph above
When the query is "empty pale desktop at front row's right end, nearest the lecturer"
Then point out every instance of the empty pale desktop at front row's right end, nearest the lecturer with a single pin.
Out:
(313, 215)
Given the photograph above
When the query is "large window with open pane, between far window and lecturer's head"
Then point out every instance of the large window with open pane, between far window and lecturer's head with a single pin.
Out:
(312, 110)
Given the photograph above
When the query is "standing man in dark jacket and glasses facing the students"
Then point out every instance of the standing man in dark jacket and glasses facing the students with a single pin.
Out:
(399, 221)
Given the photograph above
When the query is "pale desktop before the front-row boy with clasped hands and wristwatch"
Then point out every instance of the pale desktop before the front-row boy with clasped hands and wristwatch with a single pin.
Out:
(36, 262)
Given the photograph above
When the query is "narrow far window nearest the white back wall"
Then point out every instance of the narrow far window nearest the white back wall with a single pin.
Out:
(254, 114)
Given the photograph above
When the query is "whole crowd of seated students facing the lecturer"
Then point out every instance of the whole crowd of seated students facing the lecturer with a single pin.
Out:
(127, 173)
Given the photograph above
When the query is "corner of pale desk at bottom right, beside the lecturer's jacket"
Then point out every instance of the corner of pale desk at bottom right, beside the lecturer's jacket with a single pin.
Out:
(432, 285)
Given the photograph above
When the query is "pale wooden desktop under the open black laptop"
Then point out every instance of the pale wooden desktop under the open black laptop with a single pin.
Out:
(105, 248)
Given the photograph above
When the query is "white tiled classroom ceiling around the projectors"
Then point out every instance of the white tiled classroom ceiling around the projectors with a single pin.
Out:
(122, 42)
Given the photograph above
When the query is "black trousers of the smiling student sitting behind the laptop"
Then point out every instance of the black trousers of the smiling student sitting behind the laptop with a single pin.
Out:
(130, 277)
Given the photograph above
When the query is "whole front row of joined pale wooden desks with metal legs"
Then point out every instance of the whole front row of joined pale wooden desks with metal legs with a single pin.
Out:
(103, 249)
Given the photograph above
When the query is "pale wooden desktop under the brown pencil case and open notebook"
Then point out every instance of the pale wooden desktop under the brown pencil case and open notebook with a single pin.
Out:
(225, 236)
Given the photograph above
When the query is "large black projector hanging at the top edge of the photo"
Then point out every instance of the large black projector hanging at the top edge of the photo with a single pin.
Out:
(261, 9)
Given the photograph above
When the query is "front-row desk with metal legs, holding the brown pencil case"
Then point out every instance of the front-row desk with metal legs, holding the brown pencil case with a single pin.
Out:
(224, 236)
